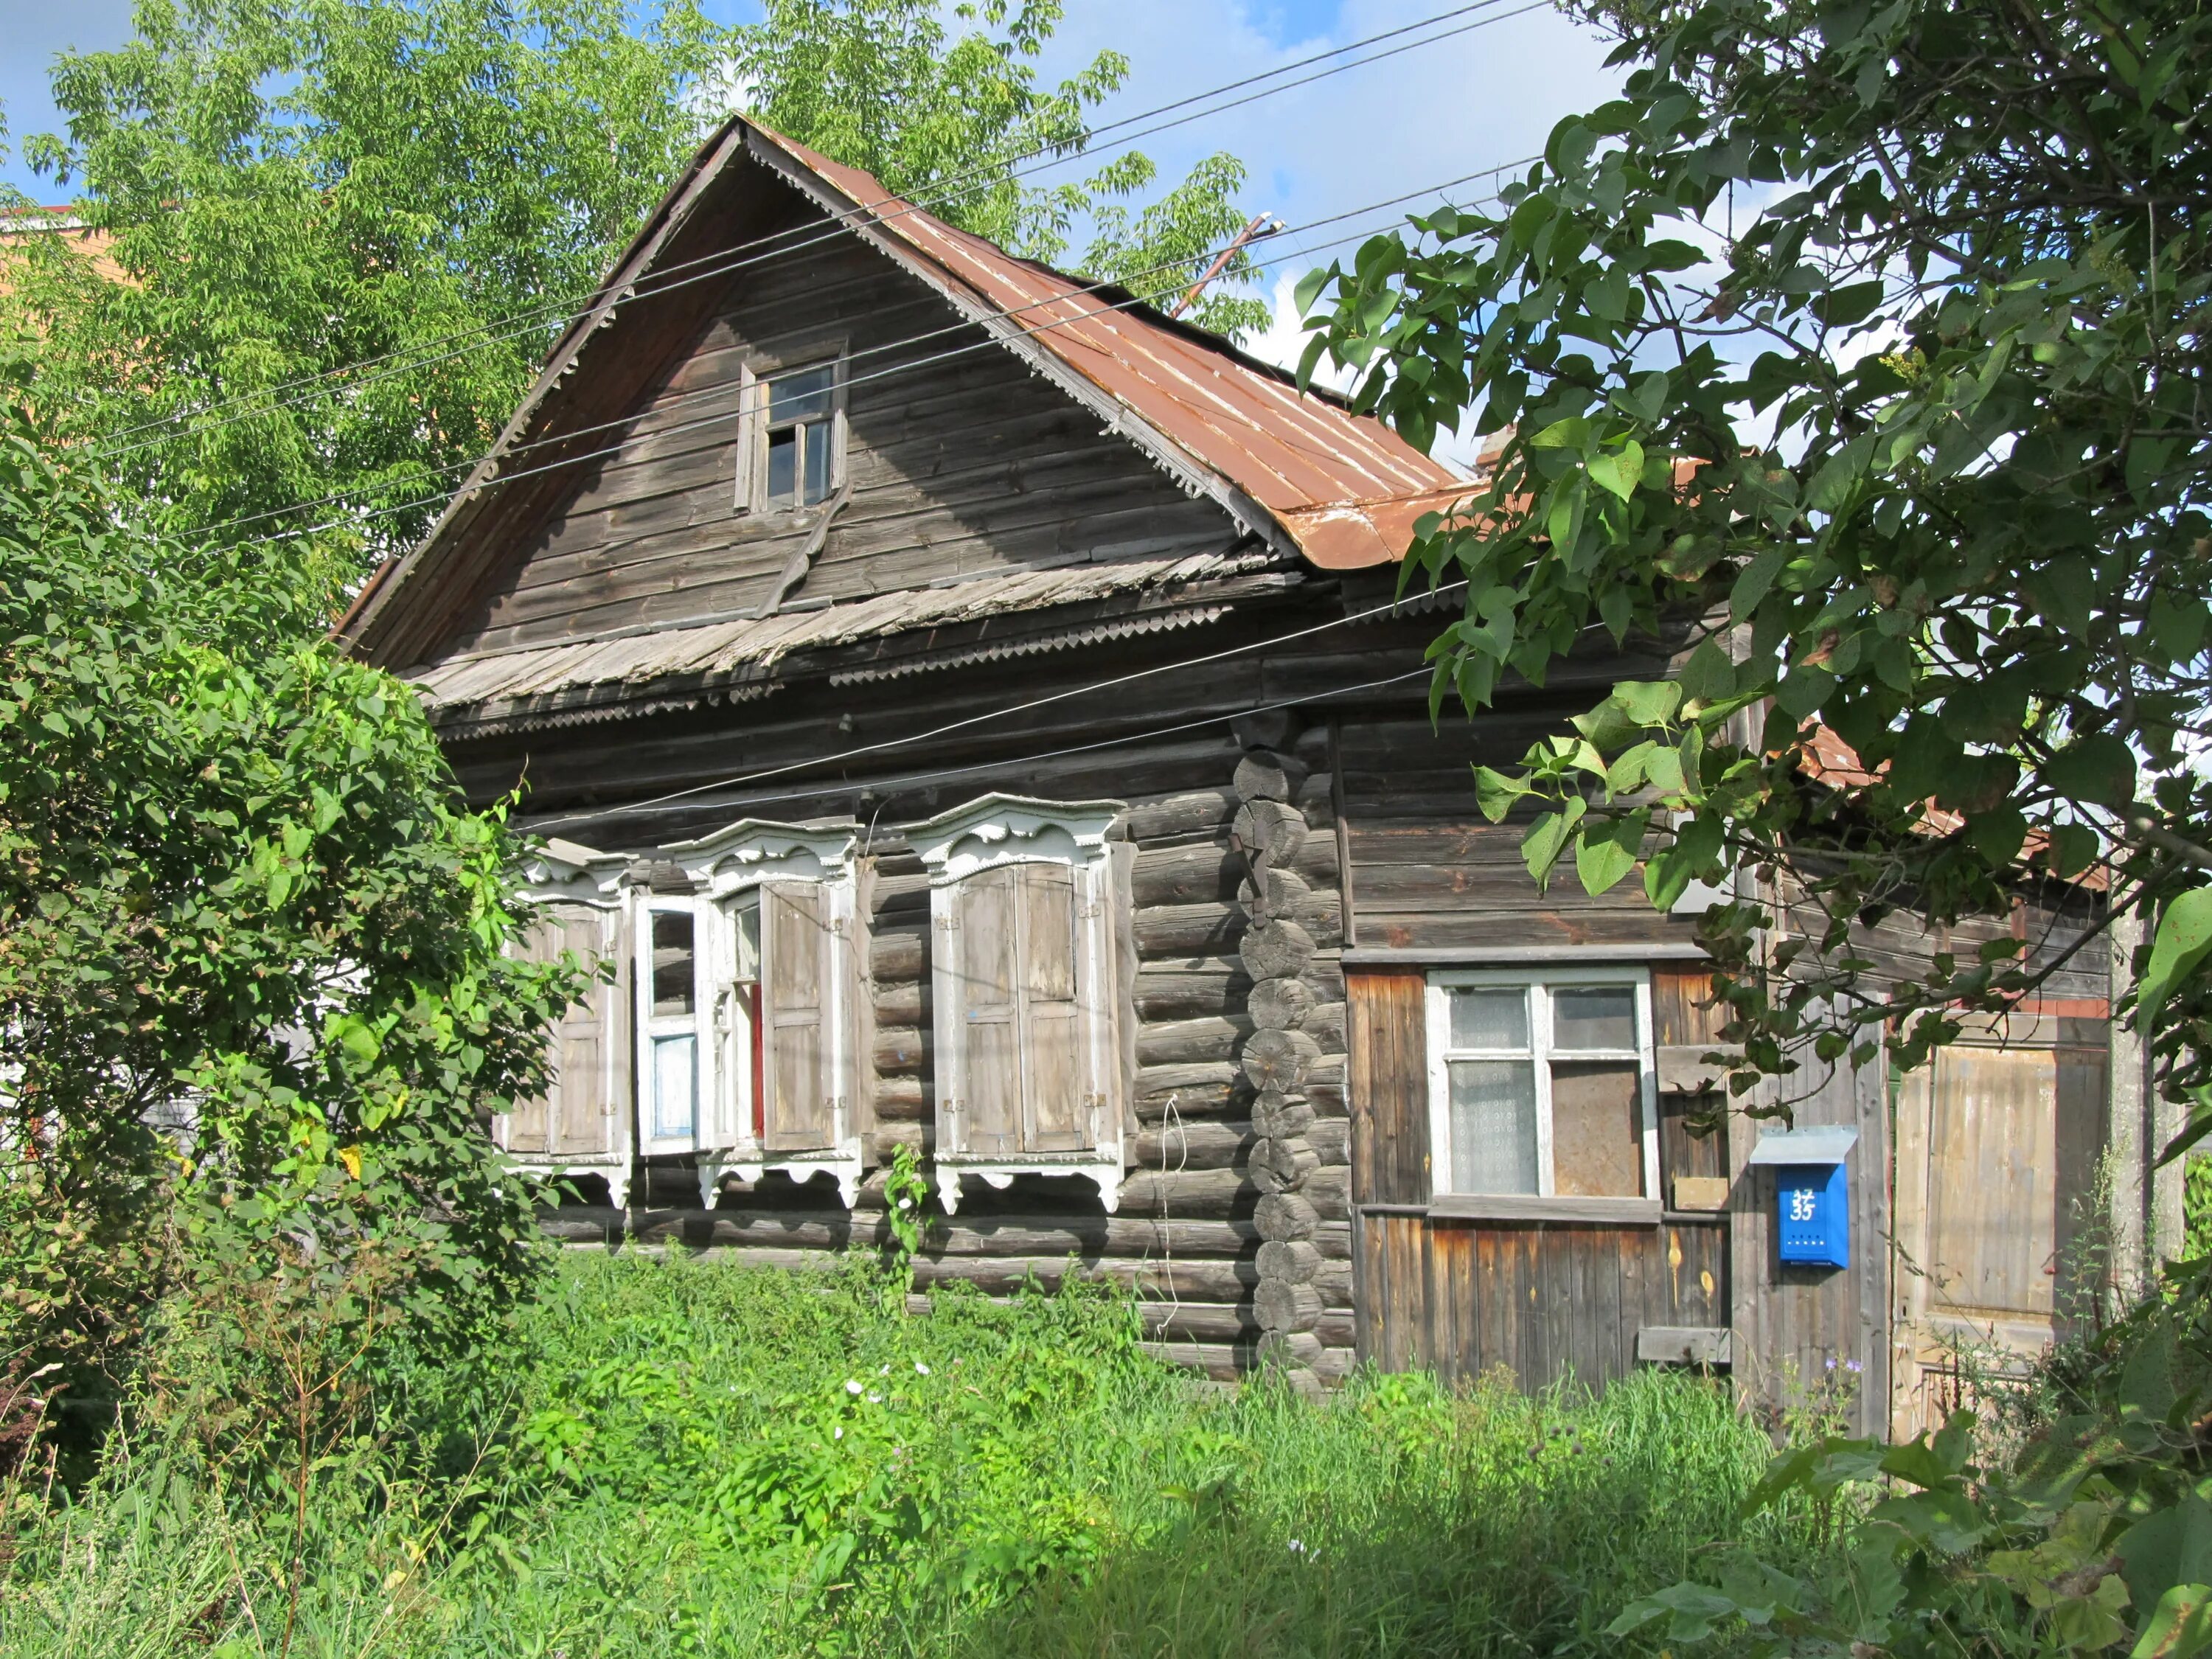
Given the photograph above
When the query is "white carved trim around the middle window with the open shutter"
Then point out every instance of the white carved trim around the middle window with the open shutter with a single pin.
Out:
(729, 873)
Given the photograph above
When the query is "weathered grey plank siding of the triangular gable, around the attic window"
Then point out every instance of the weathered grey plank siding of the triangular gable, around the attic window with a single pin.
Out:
(961, 461)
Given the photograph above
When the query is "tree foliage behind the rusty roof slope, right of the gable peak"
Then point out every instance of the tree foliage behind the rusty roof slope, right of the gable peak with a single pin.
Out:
(957, 125)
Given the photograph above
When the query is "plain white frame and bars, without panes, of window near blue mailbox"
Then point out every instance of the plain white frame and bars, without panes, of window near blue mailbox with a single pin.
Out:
(1543, 1054)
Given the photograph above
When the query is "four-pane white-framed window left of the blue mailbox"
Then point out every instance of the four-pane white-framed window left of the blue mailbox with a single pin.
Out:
(1543, 1085)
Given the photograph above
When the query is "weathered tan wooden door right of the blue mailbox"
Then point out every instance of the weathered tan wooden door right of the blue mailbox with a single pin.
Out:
(1985, 1178)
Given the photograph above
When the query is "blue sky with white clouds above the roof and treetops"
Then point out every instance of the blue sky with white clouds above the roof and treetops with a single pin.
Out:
(1395, 127)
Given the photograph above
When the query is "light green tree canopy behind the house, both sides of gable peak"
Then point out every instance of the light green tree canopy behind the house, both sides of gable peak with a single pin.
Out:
(340, 236)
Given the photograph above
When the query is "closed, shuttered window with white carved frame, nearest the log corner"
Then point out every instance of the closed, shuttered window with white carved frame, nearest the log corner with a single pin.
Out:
(1025, 990)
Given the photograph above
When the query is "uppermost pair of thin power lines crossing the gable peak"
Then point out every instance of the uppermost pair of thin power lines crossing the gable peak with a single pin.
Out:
(528, 322)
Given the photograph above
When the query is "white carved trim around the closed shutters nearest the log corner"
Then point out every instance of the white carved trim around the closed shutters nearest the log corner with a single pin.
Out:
(1008, 831)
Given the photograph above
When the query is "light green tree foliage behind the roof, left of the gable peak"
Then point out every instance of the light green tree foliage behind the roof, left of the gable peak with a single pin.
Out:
(298, 189)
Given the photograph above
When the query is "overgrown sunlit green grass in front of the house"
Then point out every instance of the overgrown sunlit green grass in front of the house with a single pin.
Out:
(696, 1459)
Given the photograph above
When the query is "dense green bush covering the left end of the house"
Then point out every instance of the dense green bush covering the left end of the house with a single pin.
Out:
(253, 997)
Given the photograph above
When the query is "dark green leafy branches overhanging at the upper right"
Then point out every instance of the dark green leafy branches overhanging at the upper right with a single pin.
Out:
(1857, 353)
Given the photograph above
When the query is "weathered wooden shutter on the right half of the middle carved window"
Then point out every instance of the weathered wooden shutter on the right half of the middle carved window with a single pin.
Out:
(797, 1050)
